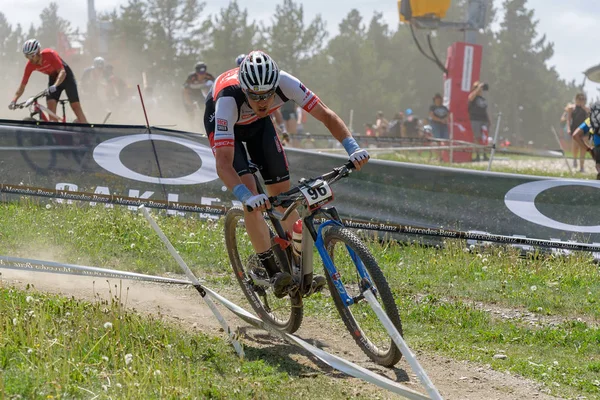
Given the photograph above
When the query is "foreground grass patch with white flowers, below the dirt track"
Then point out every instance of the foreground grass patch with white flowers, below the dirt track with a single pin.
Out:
(59, 348)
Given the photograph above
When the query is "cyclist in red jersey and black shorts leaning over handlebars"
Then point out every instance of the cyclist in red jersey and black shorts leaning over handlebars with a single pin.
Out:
(60, 77)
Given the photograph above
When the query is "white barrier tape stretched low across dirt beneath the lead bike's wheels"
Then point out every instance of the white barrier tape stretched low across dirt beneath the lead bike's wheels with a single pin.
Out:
(336, 362)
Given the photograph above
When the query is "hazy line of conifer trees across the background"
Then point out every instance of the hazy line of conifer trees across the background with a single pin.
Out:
(368, 66)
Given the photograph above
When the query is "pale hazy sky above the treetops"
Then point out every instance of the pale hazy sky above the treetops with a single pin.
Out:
(570, 24)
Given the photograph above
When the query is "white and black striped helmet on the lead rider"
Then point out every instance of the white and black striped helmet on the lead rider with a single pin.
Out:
(258, 72)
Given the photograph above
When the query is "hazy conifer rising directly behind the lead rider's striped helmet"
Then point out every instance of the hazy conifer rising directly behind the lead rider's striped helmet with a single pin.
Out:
(229, 34)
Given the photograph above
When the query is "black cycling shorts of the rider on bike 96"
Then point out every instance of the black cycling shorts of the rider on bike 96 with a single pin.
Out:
(263, 146)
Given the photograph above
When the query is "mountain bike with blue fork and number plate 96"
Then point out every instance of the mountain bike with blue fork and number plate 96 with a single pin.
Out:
(350, 268)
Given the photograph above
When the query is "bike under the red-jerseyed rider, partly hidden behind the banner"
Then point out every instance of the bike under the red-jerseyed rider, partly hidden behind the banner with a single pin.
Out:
(39, 147)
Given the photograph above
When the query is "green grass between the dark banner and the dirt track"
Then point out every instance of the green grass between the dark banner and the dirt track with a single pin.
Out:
(438, 291)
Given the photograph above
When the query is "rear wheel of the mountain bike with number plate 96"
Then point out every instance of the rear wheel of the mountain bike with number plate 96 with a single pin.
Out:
(285, 313)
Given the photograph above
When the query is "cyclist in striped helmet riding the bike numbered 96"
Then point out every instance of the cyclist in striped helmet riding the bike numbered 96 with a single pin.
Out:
(237, 111)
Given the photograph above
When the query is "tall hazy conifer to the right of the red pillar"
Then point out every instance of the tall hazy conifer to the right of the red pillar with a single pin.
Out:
(527, 92)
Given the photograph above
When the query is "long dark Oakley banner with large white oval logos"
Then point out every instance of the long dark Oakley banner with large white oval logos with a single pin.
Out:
(120, 161)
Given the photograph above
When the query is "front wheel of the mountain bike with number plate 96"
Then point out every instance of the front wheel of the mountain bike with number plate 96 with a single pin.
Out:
(360, 319)
